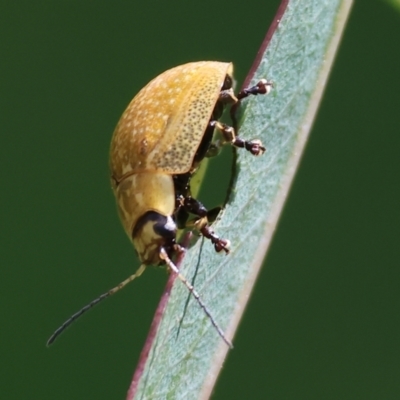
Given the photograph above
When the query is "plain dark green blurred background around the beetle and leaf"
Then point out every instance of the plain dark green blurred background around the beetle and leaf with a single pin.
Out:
(323, 321)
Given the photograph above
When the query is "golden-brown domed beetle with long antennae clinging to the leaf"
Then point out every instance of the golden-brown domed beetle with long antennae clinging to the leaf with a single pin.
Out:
(158, 145)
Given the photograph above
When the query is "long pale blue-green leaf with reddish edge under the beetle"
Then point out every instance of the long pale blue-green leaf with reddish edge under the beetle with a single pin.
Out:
(187, 353)
